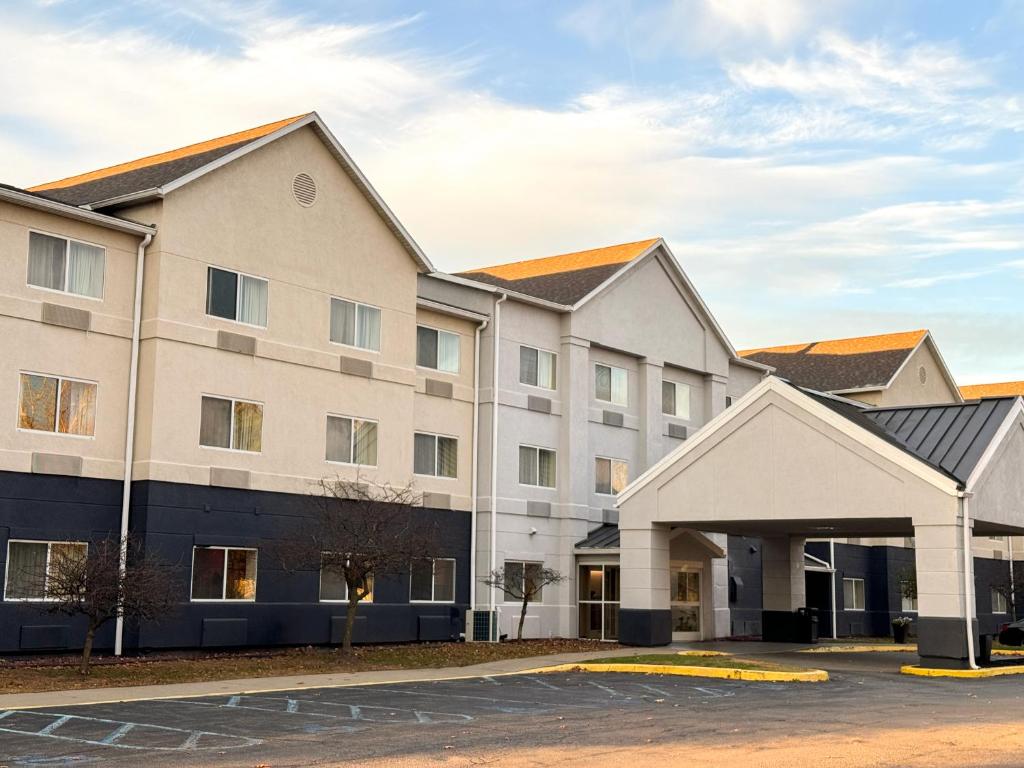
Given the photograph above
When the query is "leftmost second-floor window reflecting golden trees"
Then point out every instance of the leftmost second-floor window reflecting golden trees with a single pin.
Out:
(53, 404)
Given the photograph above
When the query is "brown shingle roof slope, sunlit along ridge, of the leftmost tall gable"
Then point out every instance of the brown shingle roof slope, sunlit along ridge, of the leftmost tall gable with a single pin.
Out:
(151, 172)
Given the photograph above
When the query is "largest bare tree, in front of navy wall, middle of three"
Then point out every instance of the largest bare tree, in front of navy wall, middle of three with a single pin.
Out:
(358, 533)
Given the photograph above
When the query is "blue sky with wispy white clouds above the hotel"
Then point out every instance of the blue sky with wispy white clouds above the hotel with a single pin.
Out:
(820, 169)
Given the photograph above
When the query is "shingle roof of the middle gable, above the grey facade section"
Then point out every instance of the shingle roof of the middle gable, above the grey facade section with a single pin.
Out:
(565, 279)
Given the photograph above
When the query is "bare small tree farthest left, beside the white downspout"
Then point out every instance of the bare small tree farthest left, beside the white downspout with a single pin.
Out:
(80, 582)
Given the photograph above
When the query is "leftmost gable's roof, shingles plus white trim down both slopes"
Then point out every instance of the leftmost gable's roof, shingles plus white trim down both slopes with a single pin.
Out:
(157, 176)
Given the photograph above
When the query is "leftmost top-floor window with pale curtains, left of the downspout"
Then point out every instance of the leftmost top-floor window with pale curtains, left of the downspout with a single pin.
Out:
(66, 266)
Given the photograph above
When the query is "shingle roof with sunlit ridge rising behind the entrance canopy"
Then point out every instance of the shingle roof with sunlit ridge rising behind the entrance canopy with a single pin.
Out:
(841, 365)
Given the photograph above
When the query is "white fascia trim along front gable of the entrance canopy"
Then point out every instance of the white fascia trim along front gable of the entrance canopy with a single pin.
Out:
(845, 426)
